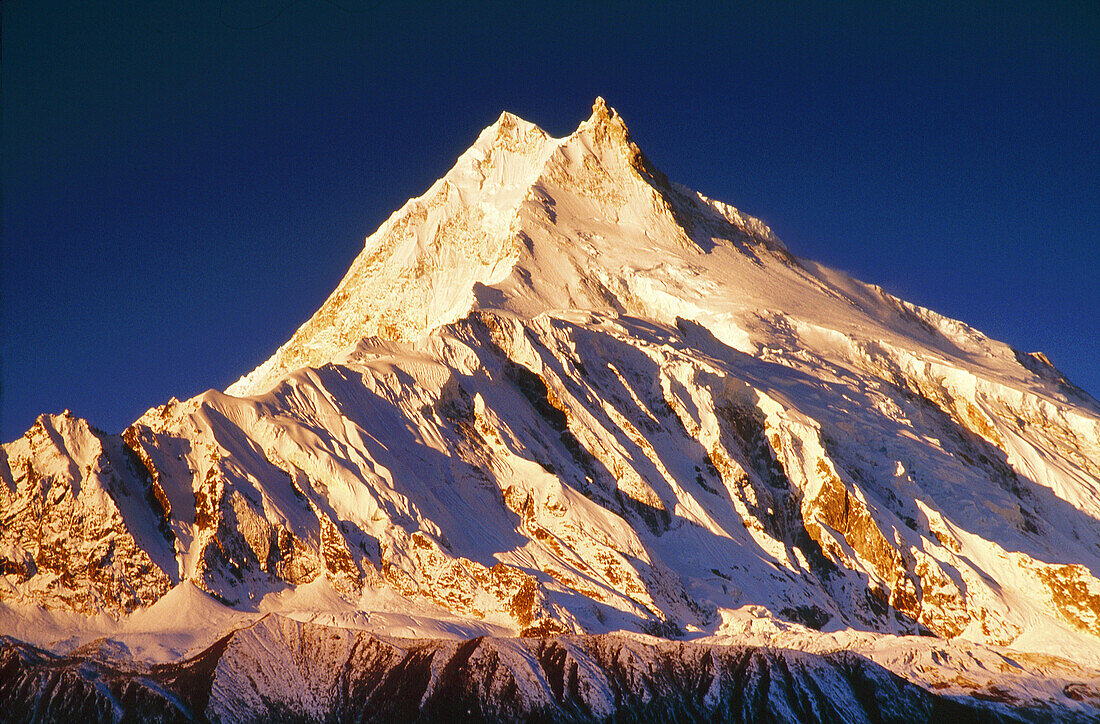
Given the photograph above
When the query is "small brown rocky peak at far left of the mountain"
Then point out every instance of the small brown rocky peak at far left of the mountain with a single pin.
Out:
(80, 523)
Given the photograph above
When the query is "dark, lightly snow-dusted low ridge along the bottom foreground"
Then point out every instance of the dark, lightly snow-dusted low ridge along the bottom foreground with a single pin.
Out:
(281, 671)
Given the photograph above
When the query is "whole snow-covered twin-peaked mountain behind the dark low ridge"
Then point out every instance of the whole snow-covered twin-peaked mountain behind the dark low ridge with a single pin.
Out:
(562, 396)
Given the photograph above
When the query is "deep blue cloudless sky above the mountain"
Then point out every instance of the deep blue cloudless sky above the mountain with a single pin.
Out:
(184, 183)
